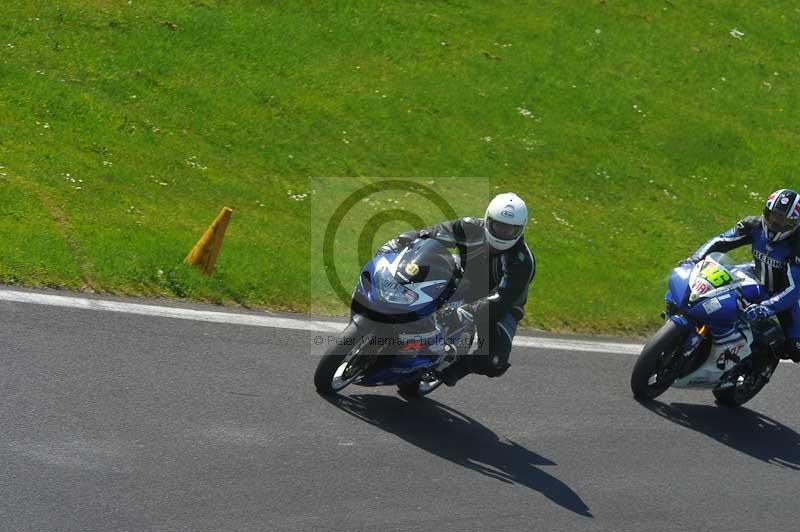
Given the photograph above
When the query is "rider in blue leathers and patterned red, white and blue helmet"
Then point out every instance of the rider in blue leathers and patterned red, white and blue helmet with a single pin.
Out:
(775, 245)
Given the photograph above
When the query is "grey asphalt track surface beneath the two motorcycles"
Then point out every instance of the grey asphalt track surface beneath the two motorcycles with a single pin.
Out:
(116, 422)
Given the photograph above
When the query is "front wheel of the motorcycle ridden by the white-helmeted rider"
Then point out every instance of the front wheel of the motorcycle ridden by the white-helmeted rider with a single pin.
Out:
(343, 363)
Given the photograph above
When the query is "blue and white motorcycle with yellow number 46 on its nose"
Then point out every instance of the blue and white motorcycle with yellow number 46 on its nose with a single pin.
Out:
(705, 342)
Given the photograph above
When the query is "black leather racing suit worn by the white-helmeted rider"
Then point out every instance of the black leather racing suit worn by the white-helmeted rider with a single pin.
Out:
(494, 286)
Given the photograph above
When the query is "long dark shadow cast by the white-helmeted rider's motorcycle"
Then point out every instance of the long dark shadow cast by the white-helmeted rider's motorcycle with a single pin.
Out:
(454, 436)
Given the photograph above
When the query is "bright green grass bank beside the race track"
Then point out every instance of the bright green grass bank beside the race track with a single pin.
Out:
(634, 130)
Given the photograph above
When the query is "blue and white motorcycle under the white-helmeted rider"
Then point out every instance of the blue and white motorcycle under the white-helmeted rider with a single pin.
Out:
(399, 332)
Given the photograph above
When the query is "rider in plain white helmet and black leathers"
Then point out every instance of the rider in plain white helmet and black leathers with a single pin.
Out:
(497, 267)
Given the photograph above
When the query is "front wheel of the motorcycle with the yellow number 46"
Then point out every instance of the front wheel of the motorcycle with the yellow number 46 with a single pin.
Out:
(657, 367)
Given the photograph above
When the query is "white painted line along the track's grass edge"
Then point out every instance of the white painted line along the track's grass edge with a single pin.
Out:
(277, 322)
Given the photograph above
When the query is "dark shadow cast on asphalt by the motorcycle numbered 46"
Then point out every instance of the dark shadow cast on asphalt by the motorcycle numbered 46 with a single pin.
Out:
(740, 428)
